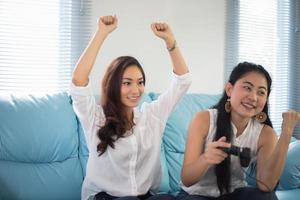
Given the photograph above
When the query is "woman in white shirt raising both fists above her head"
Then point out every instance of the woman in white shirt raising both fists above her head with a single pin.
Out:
(124, 141)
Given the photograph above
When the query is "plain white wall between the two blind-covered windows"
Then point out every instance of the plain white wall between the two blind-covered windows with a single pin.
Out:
(198, 26)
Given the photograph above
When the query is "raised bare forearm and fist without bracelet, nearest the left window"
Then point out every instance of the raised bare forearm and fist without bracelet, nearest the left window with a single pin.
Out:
(86, 61)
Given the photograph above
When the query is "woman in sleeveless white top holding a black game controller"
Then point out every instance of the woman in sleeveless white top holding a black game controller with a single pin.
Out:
(240, 118)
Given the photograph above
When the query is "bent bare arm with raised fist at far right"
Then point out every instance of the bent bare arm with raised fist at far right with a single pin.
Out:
(272, 153)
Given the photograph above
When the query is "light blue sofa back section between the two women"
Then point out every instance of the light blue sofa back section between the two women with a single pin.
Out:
(176, 132)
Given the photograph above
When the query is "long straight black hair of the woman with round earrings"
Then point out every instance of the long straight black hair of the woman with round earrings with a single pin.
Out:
(222, 170)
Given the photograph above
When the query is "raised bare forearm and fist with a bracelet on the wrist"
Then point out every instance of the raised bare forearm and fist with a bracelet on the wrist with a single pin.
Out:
(163, 31)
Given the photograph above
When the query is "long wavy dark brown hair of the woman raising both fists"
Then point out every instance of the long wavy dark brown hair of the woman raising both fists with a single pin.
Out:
(116, 123)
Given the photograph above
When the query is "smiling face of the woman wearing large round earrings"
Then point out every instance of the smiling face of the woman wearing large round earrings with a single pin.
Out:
(248, 95)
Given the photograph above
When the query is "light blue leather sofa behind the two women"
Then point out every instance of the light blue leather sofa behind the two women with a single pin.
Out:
(43, 152)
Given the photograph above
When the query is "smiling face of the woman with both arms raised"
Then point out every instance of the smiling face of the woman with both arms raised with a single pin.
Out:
(132, 87)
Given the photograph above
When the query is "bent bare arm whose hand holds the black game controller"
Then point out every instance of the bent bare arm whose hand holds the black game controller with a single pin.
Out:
(197, 159)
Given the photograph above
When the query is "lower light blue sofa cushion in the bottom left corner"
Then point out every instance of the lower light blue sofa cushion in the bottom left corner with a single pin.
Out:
(35, 181)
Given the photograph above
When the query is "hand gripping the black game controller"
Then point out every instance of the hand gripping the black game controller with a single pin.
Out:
(213, 154)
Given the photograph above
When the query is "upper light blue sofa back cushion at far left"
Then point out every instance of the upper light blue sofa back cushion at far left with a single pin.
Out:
(37, 129)
